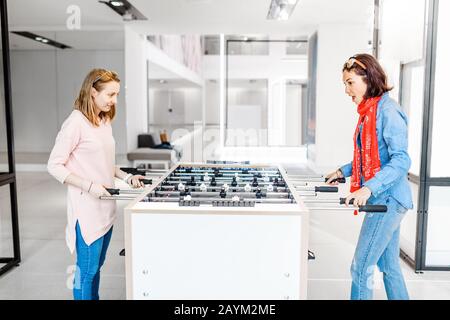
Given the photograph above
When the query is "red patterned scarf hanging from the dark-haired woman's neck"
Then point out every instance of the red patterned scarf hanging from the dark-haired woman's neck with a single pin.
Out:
(370, 162)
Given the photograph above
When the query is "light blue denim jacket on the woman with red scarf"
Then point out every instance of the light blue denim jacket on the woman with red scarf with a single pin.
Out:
(392, 134)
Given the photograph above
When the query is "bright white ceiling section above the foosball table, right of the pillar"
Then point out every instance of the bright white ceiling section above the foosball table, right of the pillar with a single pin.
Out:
(246, 16)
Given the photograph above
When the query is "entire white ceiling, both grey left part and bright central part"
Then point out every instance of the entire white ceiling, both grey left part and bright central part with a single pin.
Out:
(48, 17)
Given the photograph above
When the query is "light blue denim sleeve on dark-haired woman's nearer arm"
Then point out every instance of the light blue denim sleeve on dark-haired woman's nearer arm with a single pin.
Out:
(395, 134)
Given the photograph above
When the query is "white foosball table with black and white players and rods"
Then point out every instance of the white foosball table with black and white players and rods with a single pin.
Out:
(220, 231)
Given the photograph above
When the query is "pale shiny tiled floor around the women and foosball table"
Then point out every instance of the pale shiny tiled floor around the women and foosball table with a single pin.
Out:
(46, 263)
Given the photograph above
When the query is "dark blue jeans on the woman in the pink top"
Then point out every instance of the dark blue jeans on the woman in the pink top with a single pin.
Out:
(89, 261)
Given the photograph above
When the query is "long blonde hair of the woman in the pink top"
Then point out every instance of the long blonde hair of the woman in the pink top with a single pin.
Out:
(96, 78)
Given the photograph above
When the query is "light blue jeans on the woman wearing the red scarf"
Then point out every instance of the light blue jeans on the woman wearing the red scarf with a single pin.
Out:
(378, 245)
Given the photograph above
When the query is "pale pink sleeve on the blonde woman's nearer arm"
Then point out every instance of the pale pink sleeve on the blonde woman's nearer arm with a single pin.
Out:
(66, 141)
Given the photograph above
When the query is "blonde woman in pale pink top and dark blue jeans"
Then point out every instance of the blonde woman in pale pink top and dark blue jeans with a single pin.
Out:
(83, 158)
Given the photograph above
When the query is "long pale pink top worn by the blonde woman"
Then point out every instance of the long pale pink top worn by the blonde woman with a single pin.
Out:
(88, 152)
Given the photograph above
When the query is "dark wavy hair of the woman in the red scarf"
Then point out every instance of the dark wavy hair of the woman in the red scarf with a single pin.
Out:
(373, 74)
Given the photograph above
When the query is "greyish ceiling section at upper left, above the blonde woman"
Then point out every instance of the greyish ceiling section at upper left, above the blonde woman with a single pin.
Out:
(100, 27)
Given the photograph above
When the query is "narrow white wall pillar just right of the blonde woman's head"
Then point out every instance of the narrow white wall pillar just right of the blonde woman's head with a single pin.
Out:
(136, 86)
